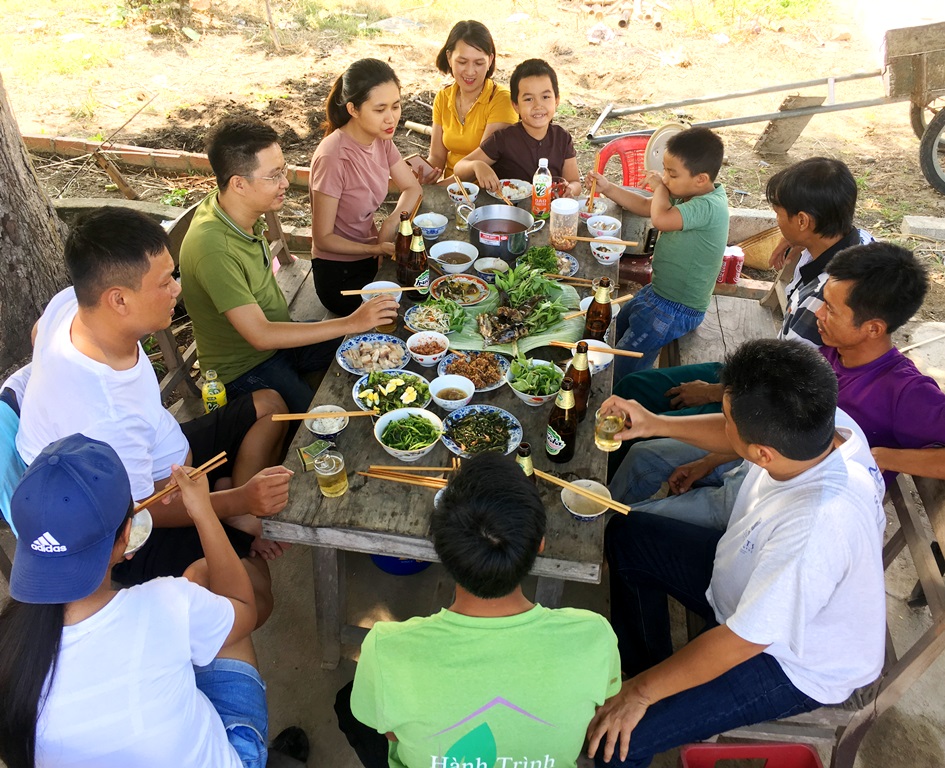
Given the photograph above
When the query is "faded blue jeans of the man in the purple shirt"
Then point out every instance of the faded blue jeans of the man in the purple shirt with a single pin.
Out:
(649, 463)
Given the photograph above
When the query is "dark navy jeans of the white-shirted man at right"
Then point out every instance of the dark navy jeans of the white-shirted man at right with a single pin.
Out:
(650, 557)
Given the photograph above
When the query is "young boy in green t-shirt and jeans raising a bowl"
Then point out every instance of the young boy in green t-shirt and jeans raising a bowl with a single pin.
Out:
(691, 212)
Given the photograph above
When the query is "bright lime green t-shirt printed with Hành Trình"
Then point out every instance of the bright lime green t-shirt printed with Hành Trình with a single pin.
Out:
(487, 692)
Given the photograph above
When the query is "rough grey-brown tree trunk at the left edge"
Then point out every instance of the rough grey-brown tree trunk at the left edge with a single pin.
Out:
(31, 243)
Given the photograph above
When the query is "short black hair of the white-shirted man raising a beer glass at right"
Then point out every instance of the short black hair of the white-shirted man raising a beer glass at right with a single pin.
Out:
(782, 394)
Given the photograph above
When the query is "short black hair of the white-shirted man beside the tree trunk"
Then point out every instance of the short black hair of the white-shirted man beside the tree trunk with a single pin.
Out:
(111, 247)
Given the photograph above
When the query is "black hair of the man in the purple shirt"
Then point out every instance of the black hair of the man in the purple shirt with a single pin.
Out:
(888, 282)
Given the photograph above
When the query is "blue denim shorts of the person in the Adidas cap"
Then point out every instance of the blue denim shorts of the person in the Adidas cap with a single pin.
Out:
(238, 694)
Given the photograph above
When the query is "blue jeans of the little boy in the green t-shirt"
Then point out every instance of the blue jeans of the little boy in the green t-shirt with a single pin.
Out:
(646, 324)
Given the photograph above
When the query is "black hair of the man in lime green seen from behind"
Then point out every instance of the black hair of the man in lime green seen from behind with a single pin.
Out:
(488, 526)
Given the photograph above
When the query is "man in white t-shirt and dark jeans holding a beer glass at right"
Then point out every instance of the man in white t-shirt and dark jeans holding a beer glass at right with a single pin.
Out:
(792, 591)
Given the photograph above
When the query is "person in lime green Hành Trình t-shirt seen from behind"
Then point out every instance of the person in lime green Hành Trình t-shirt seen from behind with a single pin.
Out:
(494, 678)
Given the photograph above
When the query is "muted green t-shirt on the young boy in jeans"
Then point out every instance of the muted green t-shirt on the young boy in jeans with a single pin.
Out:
(686, 263)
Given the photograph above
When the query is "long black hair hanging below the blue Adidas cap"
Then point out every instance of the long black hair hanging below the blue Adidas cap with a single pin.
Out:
(30, 638)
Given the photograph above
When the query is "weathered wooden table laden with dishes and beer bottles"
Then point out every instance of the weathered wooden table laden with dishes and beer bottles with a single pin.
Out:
(380, 517)
